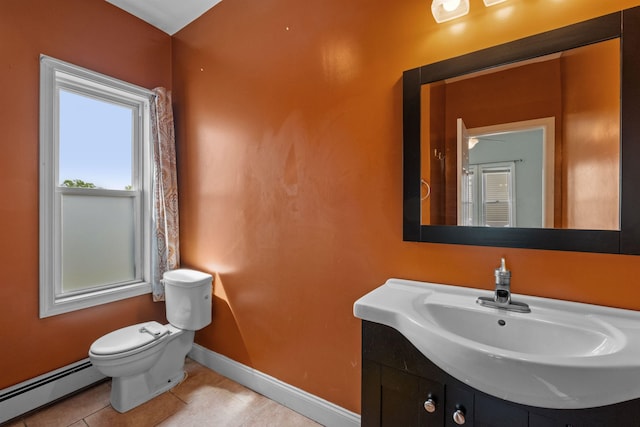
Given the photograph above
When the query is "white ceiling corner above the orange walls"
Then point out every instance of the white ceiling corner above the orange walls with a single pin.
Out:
(168, 15)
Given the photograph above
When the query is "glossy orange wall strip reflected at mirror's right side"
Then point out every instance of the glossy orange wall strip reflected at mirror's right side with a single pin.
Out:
(592, 117)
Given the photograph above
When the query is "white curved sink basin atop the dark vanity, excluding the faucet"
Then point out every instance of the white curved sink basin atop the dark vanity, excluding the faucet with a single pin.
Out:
(561, 355)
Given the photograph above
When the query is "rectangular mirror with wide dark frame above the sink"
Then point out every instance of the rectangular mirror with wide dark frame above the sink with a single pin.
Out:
(467, 182)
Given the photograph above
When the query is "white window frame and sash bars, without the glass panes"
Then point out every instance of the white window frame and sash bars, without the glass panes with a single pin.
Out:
(56, 75)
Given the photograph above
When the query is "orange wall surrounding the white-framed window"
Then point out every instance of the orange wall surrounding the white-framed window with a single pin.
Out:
(96, 35)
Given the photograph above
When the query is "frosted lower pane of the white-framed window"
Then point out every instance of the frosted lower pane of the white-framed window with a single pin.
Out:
(97, 241)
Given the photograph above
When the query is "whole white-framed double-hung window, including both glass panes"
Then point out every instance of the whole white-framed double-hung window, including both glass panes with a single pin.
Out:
(95, 188)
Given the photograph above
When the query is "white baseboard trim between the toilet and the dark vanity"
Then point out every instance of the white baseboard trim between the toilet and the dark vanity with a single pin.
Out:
(307, 404)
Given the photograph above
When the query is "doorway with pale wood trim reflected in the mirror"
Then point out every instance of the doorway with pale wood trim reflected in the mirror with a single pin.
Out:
(507, 175)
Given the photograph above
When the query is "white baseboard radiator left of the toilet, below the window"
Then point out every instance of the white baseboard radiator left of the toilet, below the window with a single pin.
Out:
(36, 392)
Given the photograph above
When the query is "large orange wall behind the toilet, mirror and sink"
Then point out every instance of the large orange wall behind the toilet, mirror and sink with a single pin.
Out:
(289, 127)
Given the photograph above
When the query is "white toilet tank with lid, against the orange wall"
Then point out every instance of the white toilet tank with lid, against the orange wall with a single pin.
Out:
(187, 298)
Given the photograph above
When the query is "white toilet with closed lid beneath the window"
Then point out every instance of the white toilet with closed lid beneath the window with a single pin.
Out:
(148, 358)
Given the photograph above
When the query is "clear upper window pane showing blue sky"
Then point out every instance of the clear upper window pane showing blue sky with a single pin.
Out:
(95, 141)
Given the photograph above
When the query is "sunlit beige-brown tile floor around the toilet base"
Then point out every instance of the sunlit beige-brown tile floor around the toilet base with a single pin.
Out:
(203, 399)
